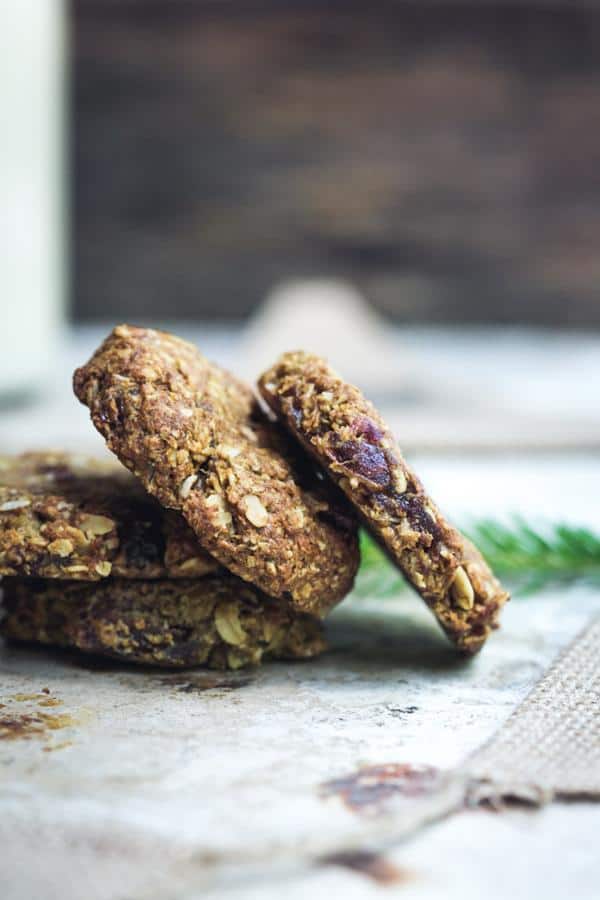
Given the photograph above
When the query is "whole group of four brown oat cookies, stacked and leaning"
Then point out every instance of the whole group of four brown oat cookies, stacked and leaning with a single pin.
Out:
(236, 532)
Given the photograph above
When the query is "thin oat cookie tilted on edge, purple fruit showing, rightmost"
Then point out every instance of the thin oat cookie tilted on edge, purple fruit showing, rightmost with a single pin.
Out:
(345, 433)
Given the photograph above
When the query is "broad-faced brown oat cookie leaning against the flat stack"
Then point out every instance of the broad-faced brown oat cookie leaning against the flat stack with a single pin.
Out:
(197, 440)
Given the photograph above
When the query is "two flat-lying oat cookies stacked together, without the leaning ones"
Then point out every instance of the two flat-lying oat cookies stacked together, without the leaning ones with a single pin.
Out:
(93, 562)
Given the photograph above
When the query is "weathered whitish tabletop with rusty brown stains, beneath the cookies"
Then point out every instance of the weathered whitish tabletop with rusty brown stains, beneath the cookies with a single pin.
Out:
(124, 784)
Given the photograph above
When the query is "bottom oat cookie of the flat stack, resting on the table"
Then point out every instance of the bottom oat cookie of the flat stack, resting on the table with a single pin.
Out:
(216, 621)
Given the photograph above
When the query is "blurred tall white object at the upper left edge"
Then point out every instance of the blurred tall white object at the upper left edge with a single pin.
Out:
(32, 76)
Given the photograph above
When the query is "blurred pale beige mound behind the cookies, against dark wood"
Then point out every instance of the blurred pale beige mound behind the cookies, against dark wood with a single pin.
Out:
(332, 319)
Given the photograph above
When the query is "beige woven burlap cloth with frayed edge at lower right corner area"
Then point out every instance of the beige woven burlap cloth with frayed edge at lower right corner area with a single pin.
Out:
(550, 746)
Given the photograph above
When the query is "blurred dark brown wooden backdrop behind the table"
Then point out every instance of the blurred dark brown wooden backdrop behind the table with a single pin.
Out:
(446, 157)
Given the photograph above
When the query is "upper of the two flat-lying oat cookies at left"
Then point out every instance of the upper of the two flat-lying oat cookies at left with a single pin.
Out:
(71, 517)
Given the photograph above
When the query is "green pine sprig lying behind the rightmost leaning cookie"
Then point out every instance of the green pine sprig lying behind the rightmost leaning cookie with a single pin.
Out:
(527, 558)
